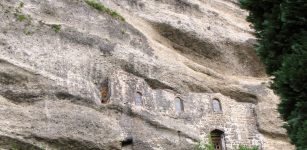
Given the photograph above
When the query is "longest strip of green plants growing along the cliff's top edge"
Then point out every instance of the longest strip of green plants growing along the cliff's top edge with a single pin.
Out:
(100, 7)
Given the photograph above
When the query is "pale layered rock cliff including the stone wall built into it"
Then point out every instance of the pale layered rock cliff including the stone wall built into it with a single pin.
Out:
(73, 77)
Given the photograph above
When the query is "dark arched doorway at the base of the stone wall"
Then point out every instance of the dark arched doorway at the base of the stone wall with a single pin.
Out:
(218, 139)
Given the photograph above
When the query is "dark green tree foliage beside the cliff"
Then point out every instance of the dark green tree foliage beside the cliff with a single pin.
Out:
(281, 29)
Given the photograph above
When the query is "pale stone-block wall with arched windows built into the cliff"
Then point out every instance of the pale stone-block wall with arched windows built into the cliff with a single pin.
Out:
(237, 120)
